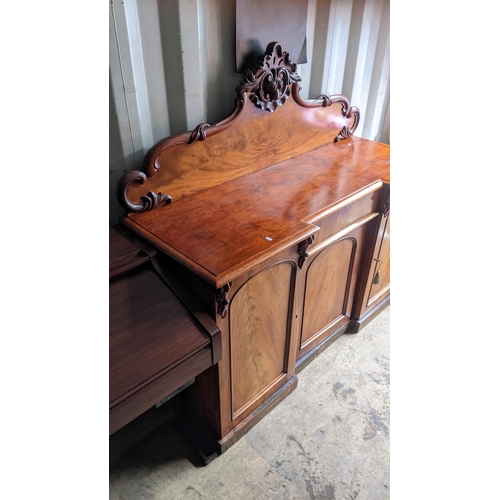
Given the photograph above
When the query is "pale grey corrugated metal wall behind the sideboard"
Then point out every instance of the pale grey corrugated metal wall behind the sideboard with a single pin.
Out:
(172, 66)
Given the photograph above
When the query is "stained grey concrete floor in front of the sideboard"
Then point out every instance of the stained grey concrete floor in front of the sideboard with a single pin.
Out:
(328, 440)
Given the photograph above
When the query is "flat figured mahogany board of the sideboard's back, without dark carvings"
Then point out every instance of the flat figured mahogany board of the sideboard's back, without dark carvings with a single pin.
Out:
(254, 140)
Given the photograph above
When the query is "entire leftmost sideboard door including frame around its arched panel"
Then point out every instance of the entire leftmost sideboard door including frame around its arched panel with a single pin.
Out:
(259, 341)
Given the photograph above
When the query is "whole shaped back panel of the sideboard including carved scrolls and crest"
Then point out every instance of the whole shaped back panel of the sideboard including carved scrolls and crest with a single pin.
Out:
(271, 123)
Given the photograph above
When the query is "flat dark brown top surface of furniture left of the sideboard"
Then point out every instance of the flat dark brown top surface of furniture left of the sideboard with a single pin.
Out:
(150, 330)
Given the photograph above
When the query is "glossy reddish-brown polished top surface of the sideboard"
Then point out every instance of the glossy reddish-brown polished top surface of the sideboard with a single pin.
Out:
(223, 231)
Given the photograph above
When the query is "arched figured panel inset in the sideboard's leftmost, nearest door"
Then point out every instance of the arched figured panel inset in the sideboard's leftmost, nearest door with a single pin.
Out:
(259, 334)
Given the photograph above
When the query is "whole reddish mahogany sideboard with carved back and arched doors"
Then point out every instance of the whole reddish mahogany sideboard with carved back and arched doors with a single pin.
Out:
(276, 220)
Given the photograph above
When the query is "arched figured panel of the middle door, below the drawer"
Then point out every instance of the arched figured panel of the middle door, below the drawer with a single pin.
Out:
(327, 288)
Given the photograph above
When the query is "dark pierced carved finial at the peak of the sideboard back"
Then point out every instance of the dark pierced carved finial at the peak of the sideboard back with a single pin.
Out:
(269, 83)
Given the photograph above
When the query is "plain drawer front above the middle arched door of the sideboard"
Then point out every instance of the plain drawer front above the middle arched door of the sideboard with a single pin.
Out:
(345, 214)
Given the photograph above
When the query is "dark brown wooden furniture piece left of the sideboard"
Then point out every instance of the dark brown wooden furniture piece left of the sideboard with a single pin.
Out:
(159, 340)
